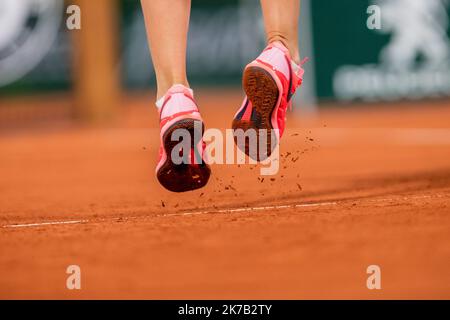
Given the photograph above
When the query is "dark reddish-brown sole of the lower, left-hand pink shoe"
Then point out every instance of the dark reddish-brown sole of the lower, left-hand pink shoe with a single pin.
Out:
(185, 176)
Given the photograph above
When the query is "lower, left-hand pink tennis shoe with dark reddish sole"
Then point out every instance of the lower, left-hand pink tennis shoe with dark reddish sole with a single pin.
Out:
(181, 170)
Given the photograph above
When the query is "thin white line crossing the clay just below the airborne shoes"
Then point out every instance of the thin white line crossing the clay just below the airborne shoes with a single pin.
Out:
(218, 211)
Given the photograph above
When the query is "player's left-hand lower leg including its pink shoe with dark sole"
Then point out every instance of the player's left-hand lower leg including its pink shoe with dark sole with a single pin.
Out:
(181, 166)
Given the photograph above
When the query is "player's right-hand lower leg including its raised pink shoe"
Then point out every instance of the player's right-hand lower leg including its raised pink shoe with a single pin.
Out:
(270, 81)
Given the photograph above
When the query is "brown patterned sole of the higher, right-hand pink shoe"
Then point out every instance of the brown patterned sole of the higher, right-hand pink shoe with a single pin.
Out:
(262, 90)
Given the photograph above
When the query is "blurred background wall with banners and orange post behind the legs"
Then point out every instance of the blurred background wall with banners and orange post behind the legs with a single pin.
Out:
(408, 58)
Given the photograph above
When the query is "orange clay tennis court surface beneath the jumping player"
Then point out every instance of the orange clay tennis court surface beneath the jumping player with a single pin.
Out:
(357, 186)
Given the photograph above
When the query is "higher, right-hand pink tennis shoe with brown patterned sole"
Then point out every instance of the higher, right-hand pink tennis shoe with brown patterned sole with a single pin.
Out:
(269, 82)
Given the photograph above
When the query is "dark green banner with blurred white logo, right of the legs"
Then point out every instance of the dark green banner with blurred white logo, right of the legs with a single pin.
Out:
(408, 57)
